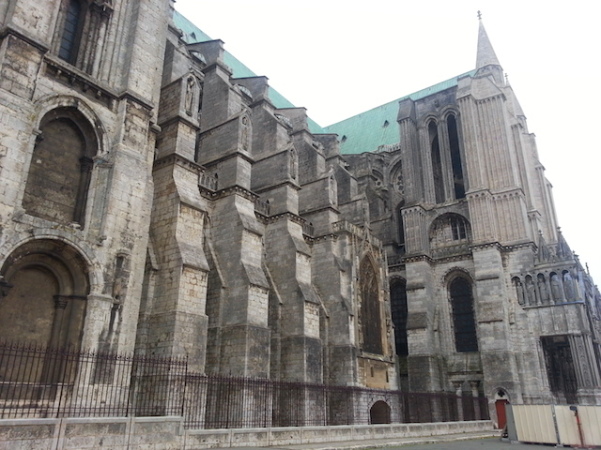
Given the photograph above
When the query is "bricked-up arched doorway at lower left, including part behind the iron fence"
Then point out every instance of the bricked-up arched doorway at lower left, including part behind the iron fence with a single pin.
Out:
(44, 309)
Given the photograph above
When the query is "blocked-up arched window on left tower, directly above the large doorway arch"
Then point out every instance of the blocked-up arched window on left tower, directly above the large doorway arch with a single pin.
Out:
(60, 169)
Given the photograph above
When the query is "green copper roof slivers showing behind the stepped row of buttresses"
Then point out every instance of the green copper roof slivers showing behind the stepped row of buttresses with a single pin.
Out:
(193, 34)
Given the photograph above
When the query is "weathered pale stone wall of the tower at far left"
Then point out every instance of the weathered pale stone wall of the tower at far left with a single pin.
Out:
(111, 237)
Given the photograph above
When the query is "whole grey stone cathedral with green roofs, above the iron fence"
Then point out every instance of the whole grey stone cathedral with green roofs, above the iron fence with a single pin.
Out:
(157, 197)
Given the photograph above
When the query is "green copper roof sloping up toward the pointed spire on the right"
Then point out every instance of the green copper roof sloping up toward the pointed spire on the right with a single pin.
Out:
(370, 130)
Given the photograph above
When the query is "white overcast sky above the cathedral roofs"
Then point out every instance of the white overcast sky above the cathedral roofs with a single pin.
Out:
(338, 58)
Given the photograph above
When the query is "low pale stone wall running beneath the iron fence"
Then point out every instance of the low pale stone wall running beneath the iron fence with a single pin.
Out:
(158, 433)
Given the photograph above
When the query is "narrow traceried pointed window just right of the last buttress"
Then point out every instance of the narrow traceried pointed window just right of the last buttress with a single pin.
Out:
(370, 309)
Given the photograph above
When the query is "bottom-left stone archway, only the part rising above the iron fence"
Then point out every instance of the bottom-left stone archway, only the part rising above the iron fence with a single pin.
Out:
(47, 303)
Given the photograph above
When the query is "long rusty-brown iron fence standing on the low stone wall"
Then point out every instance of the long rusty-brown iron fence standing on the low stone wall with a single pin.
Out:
(40, 382)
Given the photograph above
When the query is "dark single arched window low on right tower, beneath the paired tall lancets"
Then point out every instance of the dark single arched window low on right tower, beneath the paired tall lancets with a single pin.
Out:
(462, 303)
